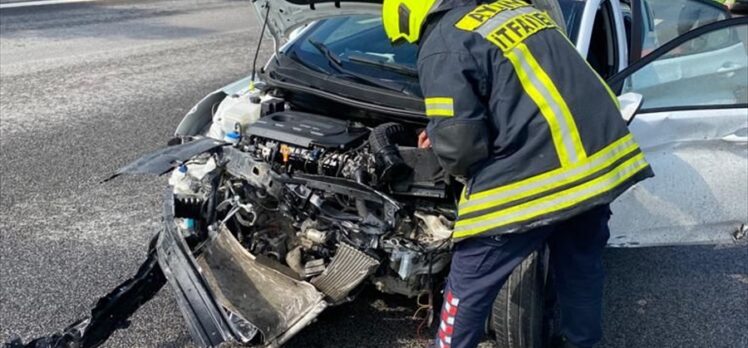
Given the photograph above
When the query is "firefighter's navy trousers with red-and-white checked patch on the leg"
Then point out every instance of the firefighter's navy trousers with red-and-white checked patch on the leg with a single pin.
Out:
(481, 265)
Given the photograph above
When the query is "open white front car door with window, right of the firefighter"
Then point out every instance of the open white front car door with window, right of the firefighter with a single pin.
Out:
(693, 128)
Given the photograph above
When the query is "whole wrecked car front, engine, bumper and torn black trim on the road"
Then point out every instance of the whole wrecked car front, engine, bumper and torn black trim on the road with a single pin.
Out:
(272, 215)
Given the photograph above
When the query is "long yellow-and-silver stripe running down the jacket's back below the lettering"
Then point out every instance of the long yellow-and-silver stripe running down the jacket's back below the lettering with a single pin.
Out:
(543, 92)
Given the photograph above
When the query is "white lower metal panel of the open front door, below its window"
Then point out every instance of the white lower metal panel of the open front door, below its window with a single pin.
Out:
(699, 193)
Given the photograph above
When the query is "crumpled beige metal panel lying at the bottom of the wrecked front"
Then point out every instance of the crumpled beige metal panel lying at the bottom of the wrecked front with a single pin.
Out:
(269, 299)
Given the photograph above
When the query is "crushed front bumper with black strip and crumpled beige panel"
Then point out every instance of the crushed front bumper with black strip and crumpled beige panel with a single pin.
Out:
(226, 294)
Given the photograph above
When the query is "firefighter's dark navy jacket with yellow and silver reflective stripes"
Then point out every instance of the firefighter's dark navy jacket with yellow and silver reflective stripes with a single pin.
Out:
(515, 110)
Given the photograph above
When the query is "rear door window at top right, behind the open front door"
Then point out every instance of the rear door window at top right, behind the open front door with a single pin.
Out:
(664, 20)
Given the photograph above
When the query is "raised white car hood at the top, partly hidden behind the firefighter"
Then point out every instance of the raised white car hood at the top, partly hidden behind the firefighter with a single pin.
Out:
(283, 16)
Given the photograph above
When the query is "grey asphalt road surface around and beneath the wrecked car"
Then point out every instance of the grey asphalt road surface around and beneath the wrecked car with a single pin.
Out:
(85, 88)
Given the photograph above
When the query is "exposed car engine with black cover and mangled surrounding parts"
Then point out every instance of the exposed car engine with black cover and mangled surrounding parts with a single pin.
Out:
(329, 201)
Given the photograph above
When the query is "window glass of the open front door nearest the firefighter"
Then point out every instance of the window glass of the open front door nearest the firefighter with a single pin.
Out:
(699, 71)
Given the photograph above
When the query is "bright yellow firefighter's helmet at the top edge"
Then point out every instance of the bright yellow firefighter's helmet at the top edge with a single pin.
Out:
(403, 19)
